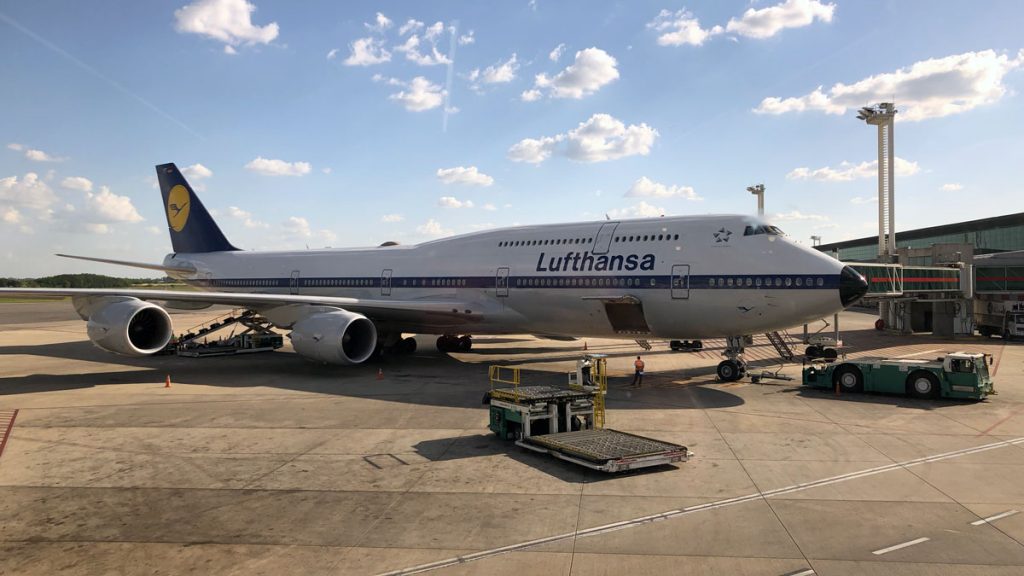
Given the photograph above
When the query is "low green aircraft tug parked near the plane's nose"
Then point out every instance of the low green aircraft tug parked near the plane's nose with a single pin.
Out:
(961, 376)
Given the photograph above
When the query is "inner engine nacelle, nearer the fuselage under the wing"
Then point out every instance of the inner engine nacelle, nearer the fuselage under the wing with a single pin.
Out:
(335, 338)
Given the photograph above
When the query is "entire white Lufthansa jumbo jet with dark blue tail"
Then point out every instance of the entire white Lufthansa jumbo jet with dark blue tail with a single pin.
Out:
(682, 277)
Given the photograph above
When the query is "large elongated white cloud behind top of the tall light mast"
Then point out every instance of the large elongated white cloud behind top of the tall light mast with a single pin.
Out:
(931, 89)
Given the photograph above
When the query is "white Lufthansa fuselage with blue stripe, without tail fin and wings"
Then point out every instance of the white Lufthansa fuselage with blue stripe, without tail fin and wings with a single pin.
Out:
(688, 277)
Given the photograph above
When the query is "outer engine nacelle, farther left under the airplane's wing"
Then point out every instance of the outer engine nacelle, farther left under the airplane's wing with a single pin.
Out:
(131, 327)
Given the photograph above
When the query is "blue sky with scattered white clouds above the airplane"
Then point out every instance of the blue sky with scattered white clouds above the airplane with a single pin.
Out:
(317, 125)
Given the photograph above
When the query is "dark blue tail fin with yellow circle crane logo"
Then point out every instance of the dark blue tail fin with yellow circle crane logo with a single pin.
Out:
(192, 228)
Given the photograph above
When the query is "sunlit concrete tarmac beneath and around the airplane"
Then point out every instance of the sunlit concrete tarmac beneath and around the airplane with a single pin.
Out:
(270, 465)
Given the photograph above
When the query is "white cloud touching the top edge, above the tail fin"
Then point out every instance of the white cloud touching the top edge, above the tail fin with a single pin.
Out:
(227, 21)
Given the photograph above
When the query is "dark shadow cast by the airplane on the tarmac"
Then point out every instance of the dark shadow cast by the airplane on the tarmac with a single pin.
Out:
(429, 379)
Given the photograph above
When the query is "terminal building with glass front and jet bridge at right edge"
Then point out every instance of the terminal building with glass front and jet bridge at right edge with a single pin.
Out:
(927, 296)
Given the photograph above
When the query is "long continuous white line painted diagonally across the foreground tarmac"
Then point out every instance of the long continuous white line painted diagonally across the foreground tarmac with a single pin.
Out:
(643, 521)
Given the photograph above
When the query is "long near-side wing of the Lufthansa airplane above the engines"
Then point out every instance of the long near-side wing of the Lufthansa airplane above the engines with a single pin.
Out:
(418, 312)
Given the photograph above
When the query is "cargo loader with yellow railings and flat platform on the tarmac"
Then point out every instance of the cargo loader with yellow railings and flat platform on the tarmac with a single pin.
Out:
(562, 423)
